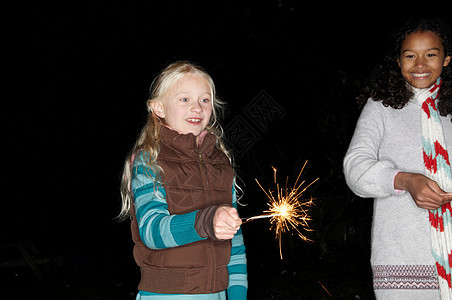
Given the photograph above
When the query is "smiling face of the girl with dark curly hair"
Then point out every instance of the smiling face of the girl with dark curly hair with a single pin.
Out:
(422, 59)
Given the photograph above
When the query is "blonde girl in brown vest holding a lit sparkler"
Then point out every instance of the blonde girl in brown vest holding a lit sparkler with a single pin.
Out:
(178, 188)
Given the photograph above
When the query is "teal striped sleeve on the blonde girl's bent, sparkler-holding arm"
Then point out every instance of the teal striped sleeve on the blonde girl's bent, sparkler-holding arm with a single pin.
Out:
(158, 229)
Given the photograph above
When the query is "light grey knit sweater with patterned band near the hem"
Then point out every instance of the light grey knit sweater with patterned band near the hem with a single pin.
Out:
(387, 141)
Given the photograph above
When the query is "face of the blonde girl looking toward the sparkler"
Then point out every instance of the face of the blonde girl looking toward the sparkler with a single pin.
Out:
(187, 106)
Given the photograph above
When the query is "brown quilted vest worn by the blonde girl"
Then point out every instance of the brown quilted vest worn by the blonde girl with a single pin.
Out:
(194, 178)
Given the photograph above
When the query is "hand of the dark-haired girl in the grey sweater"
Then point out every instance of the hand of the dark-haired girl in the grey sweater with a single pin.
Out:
(425, 192)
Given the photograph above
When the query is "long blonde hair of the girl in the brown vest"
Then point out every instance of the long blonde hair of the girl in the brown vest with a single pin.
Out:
(149, 138)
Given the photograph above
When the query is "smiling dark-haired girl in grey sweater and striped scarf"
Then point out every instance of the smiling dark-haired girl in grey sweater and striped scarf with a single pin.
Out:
(400, 155)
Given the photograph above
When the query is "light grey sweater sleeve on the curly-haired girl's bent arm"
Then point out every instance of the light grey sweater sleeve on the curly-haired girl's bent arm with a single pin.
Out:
(366, 175)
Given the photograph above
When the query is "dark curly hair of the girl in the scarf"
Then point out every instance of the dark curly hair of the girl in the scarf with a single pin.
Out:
(386, 83)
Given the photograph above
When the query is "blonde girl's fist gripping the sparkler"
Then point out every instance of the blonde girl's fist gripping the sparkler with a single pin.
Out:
(226, 222)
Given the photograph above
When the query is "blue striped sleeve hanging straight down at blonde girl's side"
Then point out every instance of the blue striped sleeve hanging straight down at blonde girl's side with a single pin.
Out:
(238, 276)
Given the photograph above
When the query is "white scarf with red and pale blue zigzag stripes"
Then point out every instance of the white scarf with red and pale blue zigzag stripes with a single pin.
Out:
(437, 167)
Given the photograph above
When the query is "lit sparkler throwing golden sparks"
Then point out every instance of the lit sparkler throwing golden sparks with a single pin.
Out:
(285, 208)
